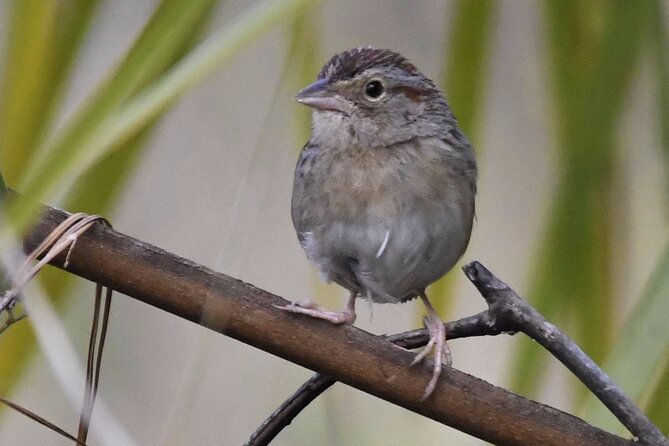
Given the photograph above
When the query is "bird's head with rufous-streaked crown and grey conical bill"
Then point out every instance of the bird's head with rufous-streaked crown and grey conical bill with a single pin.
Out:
(374, 97)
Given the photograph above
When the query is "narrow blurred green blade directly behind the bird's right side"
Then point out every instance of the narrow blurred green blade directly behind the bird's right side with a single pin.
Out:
(465, 81)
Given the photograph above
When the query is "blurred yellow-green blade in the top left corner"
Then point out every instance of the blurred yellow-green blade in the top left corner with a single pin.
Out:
(44, 39)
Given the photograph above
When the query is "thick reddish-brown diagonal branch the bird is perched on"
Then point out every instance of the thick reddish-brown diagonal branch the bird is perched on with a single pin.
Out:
(345, 353)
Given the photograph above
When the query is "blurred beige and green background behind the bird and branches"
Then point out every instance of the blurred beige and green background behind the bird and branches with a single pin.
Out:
(175, 120)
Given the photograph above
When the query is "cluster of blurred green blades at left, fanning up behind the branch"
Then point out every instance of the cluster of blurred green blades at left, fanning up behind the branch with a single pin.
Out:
(43, 43)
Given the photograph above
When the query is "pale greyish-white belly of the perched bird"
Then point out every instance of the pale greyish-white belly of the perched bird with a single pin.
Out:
(389, 259)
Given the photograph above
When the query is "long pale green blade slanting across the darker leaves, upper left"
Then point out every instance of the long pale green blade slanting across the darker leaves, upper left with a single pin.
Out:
(69, 156)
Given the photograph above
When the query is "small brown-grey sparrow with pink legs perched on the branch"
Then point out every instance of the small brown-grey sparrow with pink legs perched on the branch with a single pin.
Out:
(383, 198)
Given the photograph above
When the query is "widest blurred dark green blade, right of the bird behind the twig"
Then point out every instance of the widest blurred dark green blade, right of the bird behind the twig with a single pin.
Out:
(591, 75)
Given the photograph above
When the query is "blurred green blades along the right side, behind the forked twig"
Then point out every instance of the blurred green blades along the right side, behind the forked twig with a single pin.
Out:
(595, 50)
